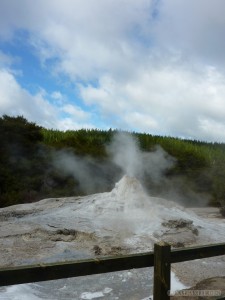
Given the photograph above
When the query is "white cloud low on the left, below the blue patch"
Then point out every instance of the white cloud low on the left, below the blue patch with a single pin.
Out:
(14, 100)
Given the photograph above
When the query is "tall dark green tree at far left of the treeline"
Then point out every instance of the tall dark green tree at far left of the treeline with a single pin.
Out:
(20, 159)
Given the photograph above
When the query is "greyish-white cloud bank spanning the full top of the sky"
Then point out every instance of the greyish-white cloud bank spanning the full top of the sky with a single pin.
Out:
(91, 37)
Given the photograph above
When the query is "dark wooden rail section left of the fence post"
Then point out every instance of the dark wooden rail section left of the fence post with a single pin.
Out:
(43, 272)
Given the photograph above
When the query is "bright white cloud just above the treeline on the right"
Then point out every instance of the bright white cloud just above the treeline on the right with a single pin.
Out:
(166, 101)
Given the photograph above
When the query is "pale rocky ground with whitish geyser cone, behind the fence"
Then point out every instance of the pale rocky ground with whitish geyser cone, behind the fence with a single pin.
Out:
(123, 221)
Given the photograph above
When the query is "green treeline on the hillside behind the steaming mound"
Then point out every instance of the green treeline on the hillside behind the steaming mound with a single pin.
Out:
(29, 173)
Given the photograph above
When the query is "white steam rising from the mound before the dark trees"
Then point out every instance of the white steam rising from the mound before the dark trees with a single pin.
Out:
(126, 158)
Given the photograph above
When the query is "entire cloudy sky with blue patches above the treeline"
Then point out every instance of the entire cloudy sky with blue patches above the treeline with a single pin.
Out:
(153, 66)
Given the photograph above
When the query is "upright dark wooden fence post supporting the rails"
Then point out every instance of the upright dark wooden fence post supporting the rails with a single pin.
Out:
(161, 286)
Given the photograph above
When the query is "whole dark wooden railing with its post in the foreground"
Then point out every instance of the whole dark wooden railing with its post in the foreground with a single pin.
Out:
(161, 259)
